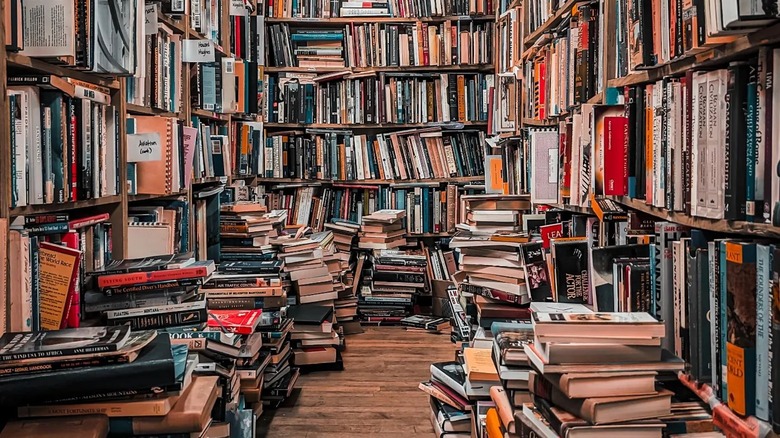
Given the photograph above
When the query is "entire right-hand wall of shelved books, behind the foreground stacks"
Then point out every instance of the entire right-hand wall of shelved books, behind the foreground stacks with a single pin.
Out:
(642, 133)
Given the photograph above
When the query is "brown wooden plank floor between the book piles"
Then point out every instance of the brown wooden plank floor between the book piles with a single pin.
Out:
(376, 395)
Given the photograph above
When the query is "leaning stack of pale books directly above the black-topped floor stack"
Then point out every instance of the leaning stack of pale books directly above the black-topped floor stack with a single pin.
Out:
(303, 260)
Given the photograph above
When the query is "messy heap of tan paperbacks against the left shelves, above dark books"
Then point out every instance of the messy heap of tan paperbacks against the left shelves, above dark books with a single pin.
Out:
(246, 229)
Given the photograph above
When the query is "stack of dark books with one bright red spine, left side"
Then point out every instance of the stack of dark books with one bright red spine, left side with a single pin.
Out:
(150, 293)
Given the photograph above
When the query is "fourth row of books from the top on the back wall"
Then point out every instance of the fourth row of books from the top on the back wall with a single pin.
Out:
(341, 155)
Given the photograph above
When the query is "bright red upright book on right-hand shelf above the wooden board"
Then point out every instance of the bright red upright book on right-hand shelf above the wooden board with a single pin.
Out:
(615, 156)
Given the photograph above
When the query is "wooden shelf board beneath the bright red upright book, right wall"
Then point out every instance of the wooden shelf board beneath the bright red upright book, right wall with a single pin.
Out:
(715, 225)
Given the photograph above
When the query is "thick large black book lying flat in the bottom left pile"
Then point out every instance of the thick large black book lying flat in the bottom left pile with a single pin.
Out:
(154, 367)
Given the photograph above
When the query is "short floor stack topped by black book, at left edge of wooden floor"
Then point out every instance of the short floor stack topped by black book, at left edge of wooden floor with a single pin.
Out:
(316, 345)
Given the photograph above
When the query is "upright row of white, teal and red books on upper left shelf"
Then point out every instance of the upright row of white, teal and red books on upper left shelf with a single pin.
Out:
(64, 141)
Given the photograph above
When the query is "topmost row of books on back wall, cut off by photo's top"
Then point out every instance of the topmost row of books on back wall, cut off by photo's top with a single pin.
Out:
(390, 8)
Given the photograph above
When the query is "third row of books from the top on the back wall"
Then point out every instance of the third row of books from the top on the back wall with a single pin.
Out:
(399, 98)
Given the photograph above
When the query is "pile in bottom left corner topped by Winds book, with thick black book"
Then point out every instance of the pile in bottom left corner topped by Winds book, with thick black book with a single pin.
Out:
(131, 383)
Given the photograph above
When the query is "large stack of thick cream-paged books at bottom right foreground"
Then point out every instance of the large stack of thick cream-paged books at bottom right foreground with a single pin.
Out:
(597, 373)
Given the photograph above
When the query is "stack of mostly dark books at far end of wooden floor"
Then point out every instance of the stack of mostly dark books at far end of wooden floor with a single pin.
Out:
(391, 279)
